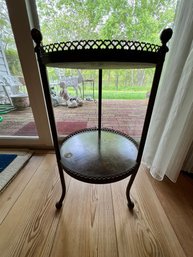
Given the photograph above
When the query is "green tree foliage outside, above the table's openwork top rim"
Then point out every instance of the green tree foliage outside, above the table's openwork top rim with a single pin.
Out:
(140, 20)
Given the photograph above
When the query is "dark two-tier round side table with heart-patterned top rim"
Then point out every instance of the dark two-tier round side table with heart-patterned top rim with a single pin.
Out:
(99, 155)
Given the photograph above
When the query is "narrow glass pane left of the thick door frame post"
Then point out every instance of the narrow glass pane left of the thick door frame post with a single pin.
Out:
(16, 118)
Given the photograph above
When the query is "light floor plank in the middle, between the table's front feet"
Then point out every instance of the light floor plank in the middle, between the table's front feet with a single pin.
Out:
(86, 227)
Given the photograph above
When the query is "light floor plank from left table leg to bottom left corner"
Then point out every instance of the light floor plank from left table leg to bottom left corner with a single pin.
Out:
(27, 225)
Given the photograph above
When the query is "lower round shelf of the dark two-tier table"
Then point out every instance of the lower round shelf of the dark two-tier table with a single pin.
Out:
(99, 157)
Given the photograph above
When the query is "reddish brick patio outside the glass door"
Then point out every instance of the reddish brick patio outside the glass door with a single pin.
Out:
(124, 115)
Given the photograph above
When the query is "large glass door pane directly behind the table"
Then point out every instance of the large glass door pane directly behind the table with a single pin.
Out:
(125, 92)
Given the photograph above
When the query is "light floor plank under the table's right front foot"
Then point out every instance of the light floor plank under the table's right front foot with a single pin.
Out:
(147, 231)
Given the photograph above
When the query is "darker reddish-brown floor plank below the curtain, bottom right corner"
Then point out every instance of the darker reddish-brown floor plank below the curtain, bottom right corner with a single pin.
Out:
(177, 199)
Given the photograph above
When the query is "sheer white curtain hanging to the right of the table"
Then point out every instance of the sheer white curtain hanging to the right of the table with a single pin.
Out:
(171, 129)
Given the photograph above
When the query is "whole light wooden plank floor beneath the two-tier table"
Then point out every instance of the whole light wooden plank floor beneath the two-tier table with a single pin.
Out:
(94, 220)
